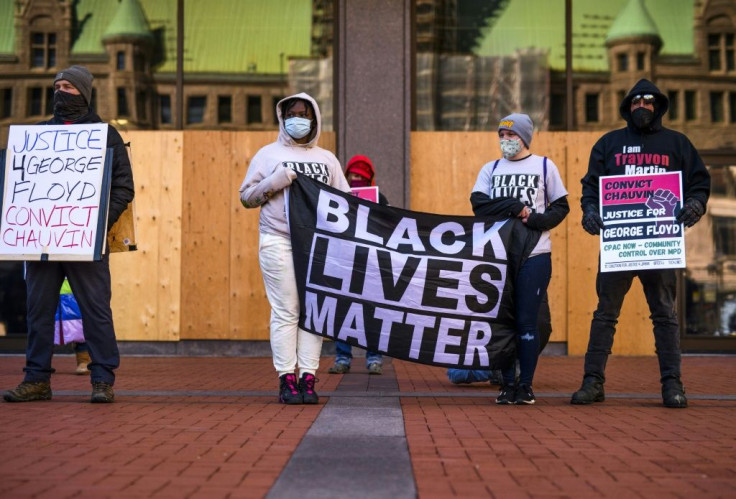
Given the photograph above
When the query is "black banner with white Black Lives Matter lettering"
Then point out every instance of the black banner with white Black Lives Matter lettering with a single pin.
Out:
(433, 289)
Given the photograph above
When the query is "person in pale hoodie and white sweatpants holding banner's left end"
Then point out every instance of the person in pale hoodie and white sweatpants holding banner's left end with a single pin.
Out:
(269, 175)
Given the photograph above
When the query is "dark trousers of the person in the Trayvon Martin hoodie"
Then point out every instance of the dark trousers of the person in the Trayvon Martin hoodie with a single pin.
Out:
(659, 289)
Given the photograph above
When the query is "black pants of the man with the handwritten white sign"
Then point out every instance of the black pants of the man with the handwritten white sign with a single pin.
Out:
(90, 282)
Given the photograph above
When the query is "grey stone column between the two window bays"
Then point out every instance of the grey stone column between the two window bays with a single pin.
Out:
(373, 89)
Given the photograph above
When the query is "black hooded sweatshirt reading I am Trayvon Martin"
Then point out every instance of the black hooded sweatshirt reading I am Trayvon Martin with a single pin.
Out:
(655, 149)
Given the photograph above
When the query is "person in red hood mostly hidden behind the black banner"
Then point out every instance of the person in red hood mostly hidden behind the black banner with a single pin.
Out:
(360, 172)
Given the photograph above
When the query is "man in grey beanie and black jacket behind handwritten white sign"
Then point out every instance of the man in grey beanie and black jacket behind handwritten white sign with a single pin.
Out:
(89, 279)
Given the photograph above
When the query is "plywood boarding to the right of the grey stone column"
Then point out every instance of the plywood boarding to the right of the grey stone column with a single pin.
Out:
(444, 169)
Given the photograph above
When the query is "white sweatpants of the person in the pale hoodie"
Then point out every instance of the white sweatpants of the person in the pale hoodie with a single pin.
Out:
(291, 345)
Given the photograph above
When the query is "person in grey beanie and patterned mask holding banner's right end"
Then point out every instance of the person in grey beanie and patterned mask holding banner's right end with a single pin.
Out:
(528, 187)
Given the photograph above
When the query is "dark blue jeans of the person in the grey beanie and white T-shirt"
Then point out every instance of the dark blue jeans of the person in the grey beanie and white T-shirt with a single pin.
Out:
(531, 286)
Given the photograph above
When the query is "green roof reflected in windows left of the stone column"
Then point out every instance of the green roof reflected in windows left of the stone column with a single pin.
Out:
(220, 36)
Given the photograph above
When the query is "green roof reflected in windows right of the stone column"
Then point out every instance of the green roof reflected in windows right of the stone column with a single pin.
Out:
(541, 24)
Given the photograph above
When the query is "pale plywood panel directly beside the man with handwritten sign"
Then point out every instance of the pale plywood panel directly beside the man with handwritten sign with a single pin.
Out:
(146, 282)
